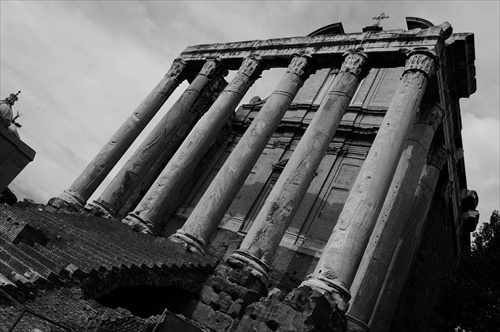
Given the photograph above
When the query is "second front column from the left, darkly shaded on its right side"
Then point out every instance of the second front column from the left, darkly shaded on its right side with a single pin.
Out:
(131, 174)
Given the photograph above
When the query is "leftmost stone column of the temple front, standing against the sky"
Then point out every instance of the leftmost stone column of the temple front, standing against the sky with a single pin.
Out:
(84, 186)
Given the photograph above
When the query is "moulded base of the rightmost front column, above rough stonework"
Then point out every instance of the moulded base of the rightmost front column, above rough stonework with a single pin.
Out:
(337, 293)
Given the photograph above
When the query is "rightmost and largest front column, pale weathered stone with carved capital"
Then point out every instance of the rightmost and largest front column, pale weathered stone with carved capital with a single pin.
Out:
(342, 254)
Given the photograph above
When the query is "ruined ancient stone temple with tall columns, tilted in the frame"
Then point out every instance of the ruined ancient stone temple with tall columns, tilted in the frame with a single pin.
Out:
(334, 203)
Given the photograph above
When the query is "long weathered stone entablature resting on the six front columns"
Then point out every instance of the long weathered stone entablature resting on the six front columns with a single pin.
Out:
(386, 49)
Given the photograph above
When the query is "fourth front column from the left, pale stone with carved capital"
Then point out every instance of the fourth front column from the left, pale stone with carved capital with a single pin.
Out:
(207, 214)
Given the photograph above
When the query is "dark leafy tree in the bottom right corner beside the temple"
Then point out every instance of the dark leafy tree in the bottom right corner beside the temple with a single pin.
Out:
(470, 298)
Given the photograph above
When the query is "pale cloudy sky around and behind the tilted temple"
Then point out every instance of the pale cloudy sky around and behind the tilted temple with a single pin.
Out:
(83, 67)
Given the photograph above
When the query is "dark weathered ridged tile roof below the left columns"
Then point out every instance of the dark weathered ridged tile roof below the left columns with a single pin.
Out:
(41, 250)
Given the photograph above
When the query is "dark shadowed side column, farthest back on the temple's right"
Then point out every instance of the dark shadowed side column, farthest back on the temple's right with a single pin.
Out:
(408, 242)
